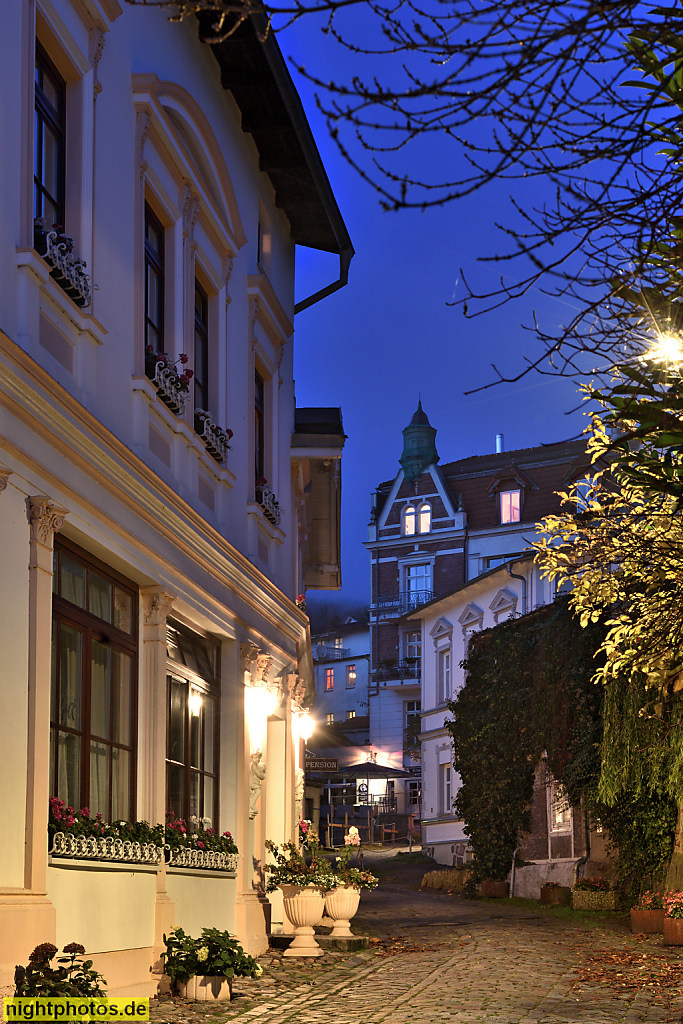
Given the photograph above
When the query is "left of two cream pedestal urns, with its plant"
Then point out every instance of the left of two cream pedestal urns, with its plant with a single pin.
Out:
(304, 885)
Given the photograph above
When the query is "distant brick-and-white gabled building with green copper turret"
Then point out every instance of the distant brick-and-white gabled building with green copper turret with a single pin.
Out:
(435, 529)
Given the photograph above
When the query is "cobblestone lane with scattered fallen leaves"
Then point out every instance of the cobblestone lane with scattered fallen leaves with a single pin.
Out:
(437, 958)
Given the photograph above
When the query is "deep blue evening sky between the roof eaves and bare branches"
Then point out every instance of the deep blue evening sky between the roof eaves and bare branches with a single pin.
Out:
(390, 336)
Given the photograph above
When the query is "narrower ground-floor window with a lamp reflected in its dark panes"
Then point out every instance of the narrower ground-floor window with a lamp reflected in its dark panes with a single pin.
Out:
(192, 723)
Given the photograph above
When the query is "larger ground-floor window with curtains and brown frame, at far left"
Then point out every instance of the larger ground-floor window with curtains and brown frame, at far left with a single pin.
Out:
(94, 694)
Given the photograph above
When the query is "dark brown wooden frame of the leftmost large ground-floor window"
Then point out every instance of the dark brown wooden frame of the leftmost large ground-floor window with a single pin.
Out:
(96, 629)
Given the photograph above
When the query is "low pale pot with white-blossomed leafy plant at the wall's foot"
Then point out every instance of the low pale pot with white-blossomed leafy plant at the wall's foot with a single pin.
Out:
(202, 970)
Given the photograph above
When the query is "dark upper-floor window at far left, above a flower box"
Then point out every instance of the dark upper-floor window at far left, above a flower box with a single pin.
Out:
(50, 143)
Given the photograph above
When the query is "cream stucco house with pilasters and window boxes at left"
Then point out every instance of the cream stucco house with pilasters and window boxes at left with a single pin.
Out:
(157, 527)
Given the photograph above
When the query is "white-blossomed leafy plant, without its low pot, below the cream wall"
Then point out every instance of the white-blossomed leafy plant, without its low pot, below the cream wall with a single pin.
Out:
(215, 954)
